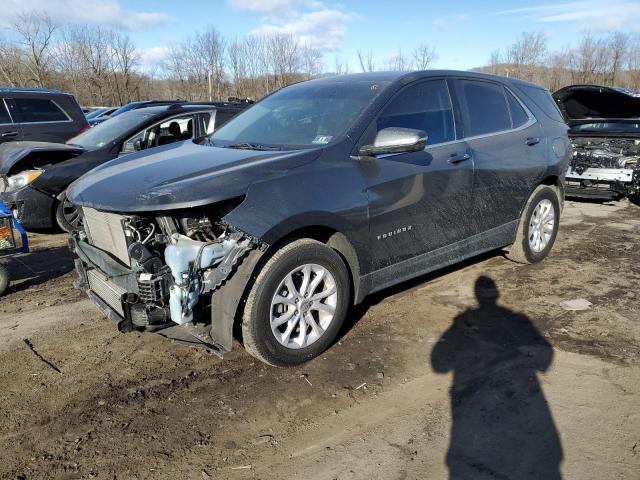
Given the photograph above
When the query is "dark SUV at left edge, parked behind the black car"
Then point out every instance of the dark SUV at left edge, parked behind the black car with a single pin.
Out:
(39, 115)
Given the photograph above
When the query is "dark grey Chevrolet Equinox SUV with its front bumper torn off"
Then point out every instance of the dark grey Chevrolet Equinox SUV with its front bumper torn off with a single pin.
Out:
(315, 197)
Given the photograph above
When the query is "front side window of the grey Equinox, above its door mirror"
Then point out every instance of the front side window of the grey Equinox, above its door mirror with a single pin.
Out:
(425, 106)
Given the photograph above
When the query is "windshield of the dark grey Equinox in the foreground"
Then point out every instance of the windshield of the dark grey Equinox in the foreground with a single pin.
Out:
(303, 115)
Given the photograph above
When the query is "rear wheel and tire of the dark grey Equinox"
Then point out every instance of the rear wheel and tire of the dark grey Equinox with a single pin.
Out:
(538, 227)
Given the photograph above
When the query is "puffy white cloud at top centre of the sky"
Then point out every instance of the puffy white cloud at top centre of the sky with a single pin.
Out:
(308, 20)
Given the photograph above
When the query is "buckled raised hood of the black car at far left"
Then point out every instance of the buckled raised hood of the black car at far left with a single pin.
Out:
(32, 154)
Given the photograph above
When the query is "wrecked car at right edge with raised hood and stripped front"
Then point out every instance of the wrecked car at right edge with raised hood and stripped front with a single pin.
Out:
(605, 134)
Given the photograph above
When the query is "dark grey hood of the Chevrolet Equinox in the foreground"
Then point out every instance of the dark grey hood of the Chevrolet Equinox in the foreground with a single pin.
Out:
(179, 175)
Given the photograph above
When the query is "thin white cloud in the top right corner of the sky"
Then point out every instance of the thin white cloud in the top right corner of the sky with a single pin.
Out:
(596, 15)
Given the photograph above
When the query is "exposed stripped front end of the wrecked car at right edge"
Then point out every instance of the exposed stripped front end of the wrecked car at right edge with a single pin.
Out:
(604, 167)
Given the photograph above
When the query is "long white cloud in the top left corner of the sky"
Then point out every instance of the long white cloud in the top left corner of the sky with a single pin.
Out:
(100, 12)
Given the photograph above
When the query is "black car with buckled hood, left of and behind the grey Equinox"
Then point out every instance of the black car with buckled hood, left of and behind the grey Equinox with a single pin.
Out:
(34, 176)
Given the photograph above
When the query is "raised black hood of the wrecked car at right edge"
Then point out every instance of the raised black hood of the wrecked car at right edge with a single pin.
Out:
(587, 102)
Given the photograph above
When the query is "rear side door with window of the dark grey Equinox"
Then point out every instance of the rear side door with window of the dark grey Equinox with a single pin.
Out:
(508, 151)
